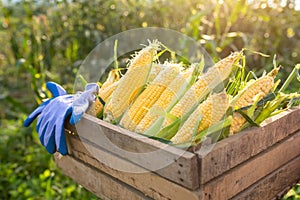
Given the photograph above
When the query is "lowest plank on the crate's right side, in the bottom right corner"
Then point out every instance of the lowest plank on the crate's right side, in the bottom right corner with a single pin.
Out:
(272, 186)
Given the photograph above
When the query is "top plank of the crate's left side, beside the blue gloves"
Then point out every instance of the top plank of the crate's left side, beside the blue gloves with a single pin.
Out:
(172, 163)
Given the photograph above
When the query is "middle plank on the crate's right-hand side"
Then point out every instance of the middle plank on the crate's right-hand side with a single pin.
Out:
(244, 175)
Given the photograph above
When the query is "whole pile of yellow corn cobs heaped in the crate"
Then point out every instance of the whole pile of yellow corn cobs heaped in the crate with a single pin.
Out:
(172, 101)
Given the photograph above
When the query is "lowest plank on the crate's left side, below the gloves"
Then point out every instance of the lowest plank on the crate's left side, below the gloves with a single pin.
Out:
(97, 182)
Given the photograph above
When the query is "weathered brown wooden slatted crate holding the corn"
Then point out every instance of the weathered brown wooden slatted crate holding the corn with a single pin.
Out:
(258, 163)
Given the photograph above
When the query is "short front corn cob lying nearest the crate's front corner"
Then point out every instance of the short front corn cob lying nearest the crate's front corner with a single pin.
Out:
(211, 111)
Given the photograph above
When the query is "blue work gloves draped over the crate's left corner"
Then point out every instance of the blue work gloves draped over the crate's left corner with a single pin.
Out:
(53, 112)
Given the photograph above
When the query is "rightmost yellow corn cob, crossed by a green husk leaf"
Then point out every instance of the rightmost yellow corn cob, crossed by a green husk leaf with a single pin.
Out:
(258, 88)
